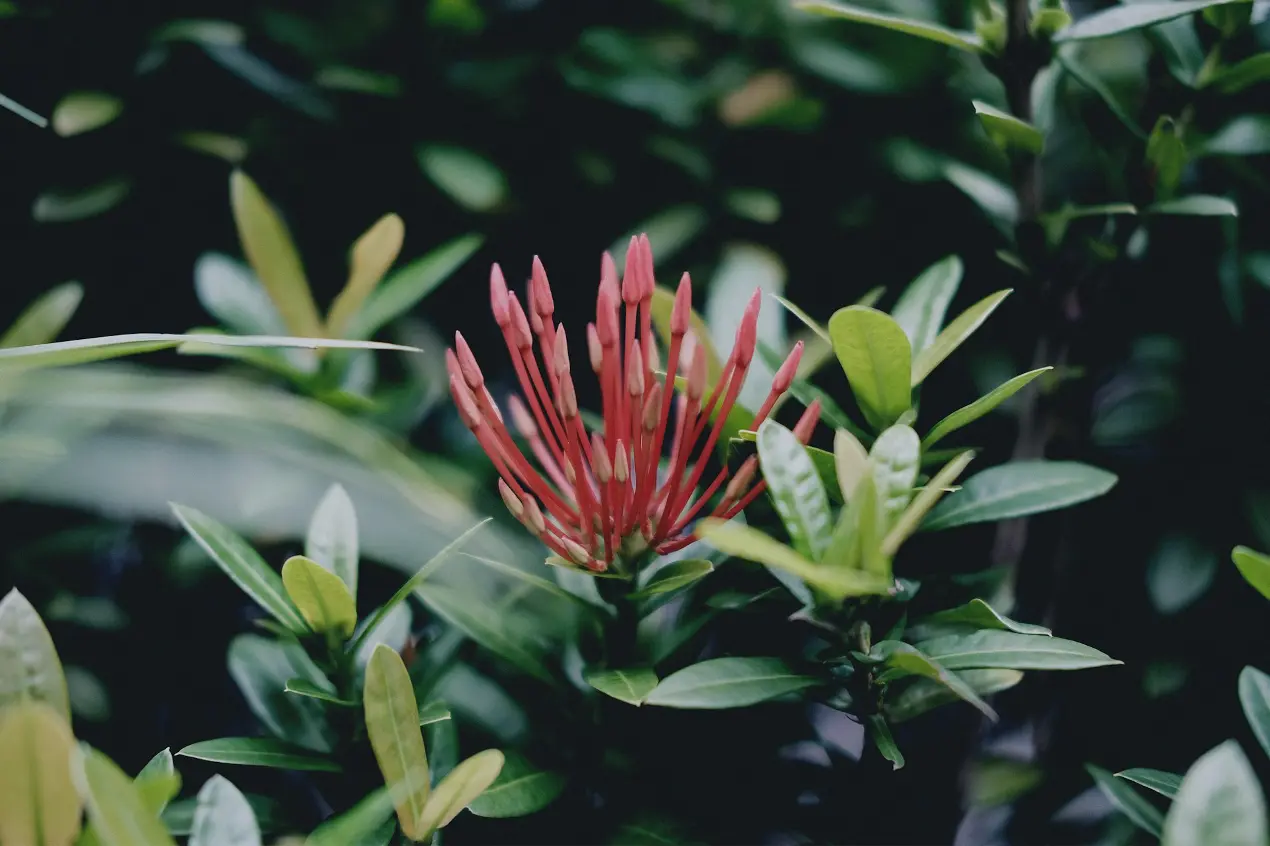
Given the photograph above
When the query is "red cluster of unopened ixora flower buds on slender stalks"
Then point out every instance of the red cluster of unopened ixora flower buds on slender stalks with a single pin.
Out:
(599, 496)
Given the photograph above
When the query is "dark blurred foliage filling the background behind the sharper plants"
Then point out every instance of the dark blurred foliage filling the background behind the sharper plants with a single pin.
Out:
(759, 147)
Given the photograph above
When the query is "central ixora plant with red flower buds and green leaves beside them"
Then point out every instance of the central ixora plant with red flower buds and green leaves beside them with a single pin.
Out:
(609, 505)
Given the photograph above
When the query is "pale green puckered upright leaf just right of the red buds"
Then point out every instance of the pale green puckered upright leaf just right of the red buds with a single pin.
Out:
(796, 488)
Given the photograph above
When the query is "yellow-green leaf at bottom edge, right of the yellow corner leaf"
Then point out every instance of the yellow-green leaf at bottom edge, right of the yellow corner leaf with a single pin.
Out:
(119, 815)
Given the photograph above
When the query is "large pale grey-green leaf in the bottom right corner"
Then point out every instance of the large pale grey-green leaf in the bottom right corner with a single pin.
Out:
(1220, 803)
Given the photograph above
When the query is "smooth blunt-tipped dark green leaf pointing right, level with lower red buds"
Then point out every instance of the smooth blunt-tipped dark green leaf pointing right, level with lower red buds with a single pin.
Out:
(1018, 490)
